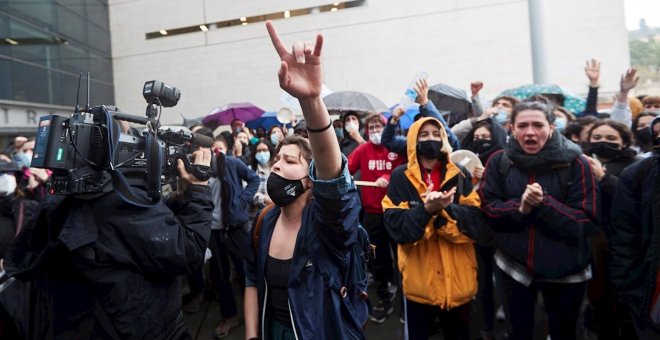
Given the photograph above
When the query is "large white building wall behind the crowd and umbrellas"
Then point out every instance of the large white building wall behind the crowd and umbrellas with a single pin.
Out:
(218, 51)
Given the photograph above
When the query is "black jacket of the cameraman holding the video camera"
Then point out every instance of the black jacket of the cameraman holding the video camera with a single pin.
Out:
(86, 258)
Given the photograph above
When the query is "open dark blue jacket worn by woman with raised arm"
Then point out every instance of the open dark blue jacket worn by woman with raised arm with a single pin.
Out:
(330, 221)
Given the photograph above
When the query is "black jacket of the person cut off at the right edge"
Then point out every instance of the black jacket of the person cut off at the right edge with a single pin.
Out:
(635, 237)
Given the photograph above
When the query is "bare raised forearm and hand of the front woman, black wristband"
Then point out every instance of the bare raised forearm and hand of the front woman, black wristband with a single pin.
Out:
(301, 76)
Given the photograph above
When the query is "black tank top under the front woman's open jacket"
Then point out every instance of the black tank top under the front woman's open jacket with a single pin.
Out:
(277, 276)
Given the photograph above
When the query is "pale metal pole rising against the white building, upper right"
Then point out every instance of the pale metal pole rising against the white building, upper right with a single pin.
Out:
(538, 41)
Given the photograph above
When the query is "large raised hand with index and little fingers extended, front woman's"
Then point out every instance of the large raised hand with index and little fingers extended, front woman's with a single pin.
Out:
(300, 71)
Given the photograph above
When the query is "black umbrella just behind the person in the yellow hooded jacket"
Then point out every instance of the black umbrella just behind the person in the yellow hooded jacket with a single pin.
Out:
(448, 98)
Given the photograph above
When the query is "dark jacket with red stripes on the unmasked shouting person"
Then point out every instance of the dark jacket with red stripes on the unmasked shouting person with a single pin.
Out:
(551, 242)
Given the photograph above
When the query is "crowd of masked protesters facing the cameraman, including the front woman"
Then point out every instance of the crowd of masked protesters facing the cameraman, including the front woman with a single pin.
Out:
(561, 203)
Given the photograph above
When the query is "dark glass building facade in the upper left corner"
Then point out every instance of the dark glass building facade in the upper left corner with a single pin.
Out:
(45, 44)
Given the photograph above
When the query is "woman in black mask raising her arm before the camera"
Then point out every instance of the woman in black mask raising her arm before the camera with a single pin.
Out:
(310, 231)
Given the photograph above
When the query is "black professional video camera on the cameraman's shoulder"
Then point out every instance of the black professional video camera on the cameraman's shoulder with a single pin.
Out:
(86, 150)
